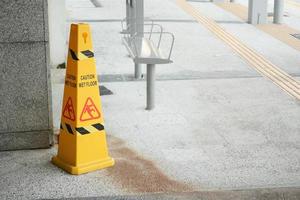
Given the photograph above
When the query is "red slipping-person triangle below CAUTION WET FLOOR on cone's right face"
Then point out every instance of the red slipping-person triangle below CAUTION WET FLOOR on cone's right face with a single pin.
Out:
(89, 111)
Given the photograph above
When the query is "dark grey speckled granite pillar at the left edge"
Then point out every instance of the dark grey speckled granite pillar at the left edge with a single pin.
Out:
(25, 97)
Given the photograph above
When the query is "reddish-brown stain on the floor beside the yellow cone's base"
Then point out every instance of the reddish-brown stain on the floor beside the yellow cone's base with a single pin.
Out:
(135, 173)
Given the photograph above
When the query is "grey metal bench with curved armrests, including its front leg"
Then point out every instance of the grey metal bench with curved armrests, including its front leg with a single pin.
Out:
(143, 50)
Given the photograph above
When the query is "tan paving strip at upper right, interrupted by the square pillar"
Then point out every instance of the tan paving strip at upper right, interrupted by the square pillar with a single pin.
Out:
(281, 32)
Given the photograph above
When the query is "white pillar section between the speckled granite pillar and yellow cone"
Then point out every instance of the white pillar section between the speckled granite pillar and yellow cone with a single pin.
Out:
(57, 31)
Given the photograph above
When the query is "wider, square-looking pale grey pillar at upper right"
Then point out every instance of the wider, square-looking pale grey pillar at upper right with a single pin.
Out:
(257, 11)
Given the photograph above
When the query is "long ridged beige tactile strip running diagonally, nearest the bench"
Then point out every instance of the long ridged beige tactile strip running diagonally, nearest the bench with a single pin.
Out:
(259, 63)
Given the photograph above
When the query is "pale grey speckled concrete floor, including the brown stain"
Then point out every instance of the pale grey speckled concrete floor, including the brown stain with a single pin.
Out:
(220, 127)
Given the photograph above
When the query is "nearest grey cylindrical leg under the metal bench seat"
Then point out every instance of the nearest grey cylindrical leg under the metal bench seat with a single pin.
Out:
(150, 86)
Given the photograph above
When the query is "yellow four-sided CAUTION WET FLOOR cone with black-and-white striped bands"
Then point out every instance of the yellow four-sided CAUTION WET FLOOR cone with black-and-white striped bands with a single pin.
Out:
(82, 140)
